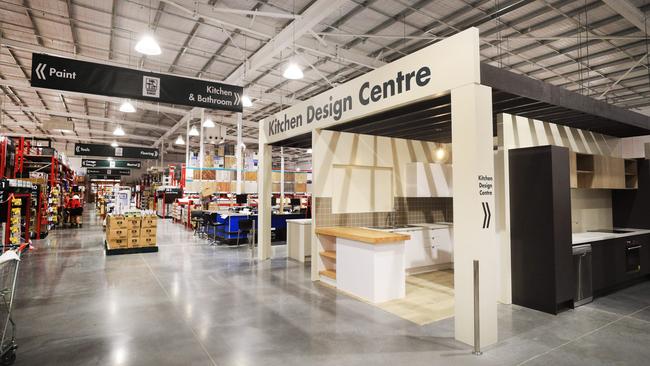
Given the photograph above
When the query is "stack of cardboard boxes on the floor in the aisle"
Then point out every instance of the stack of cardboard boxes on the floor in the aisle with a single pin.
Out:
(132, 230)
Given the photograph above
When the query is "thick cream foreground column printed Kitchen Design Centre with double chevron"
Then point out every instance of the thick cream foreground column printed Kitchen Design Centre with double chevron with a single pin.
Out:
(471, 116)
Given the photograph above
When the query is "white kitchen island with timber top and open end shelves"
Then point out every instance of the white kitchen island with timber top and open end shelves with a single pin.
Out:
(369, 264)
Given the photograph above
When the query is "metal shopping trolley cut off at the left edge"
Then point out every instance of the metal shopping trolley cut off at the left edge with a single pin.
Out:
(9, 261)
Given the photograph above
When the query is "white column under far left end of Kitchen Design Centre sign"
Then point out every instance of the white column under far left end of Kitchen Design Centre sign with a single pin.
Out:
(264, 185)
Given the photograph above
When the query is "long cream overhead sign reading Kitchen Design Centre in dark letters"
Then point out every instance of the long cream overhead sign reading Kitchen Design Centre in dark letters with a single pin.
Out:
(432, 71)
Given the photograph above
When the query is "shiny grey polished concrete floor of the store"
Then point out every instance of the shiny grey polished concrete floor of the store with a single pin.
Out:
(193, 304)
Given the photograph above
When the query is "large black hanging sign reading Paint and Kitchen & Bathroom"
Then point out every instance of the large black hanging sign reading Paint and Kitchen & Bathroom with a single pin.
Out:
(60, 73)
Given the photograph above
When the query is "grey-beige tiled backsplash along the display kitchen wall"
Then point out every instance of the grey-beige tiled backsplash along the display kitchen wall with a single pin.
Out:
(408, 210)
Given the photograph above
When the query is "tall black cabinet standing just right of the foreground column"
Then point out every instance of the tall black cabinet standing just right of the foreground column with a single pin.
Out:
(540, 228)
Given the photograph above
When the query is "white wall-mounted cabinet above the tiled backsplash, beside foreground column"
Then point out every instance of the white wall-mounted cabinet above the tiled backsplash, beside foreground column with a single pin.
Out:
(428, 180)
